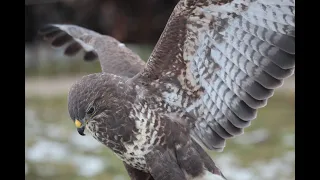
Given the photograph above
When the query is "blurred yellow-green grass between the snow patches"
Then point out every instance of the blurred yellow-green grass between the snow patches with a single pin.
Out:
(277, 118)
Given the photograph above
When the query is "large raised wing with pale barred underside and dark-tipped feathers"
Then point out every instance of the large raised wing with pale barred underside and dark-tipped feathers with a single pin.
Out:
(220, 61)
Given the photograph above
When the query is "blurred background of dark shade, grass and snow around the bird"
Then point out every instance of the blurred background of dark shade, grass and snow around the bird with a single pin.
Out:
(54, 150)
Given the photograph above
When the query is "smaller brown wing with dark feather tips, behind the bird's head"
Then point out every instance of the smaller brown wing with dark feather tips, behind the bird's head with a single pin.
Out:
(114, 57)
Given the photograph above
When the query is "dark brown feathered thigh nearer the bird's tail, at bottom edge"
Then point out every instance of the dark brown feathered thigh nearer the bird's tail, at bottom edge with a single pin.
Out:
(162, 165)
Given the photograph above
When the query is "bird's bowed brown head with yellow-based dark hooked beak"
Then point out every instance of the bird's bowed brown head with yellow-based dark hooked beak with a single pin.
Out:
(88, 98)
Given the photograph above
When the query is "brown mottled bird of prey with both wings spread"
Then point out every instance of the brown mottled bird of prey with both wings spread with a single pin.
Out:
(216, 63)
